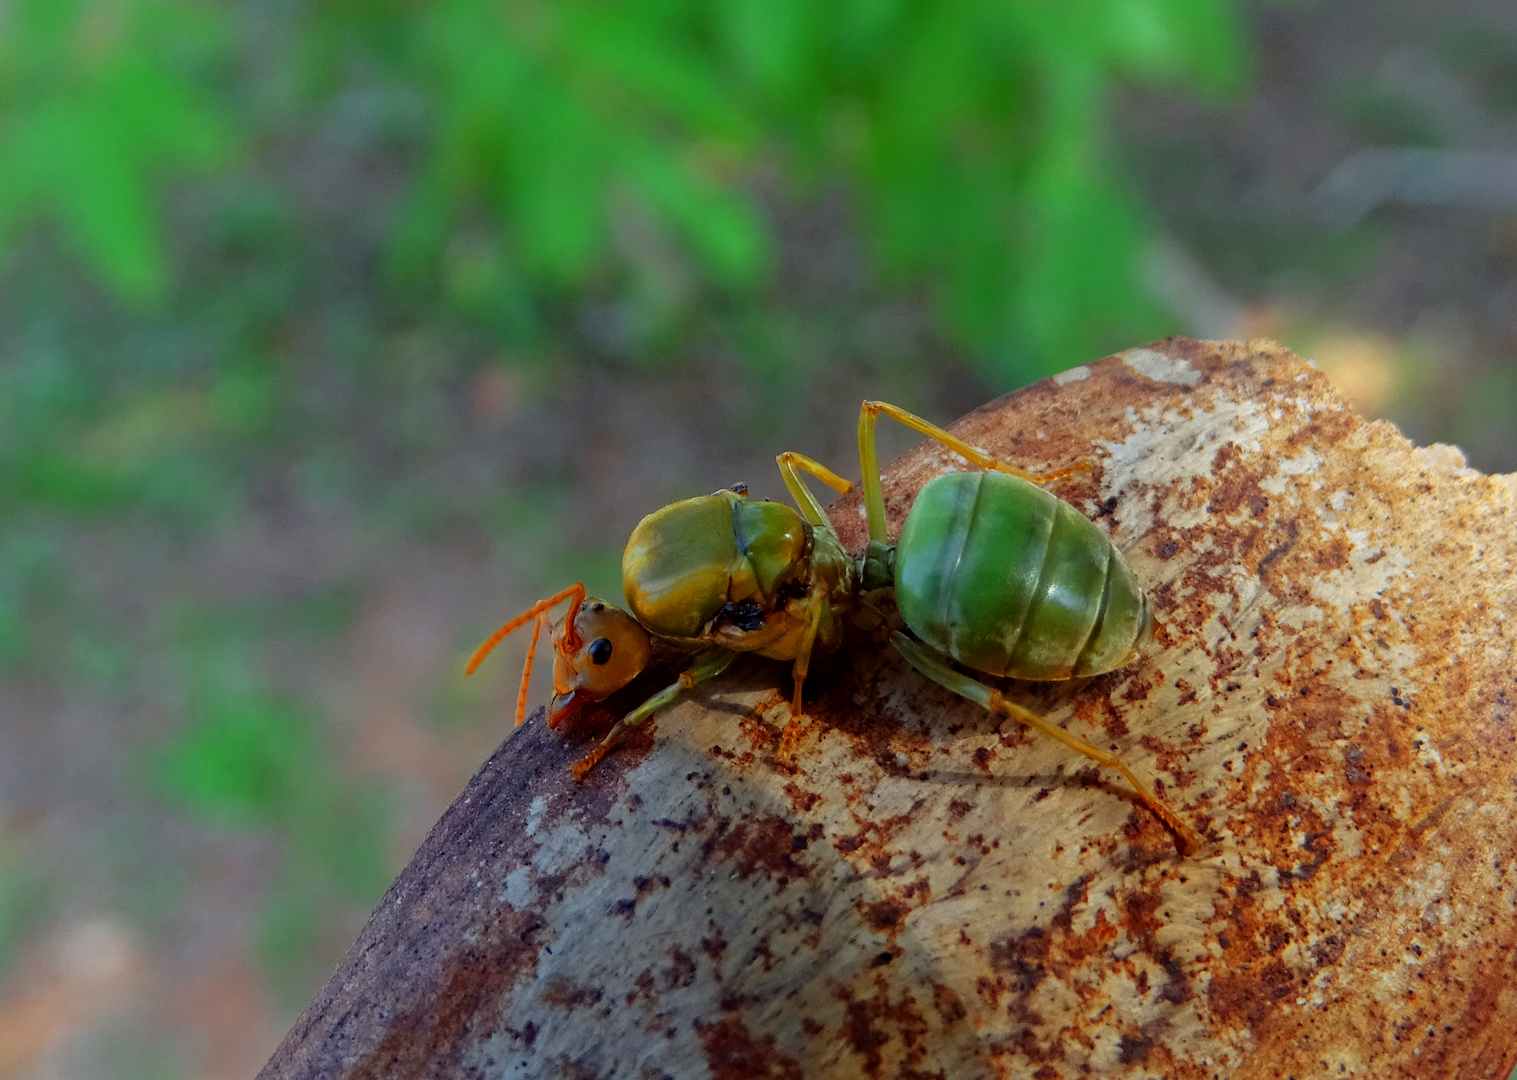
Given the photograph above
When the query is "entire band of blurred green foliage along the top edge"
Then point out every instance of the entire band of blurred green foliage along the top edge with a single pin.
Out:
(641, 152)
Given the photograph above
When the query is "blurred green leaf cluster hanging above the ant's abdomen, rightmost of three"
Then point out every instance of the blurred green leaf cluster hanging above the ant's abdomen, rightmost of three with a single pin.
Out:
(979, 155)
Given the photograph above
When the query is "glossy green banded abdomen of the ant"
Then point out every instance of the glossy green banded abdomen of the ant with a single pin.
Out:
(1010, 580)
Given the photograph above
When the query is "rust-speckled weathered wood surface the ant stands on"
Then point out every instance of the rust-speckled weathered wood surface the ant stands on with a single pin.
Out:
(928, 894)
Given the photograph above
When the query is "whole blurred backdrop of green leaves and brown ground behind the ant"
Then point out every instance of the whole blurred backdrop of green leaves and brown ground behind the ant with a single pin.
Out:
(336, 333)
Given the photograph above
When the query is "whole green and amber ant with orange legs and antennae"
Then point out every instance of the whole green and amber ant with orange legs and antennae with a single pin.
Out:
(990, 570)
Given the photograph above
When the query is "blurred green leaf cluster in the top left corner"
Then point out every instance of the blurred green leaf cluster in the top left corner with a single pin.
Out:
(99, 102)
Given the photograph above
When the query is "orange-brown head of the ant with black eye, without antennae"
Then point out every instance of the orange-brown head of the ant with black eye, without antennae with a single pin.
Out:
(597, 651)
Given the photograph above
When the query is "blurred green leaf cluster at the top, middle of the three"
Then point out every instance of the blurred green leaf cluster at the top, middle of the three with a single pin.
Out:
(547, 116)
